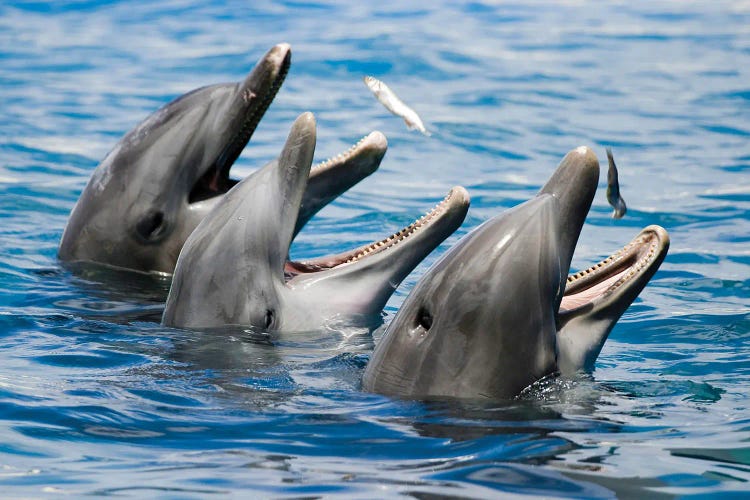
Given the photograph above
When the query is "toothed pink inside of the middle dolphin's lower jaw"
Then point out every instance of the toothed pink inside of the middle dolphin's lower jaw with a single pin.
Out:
(436, 220)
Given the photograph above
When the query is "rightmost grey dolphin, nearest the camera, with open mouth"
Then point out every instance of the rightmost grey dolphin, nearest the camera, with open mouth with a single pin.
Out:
(498, 312)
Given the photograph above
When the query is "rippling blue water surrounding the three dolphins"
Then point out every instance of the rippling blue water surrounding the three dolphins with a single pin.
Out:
(97, 398)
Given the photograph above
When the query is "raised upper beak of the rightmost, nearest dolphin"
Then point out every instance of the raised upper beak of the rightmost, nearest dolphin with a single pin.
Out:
(573, 185)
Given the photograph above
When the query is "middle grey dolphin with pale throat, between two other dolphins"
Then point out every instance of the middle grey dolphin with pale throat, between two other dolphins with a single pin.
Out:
(234, 268)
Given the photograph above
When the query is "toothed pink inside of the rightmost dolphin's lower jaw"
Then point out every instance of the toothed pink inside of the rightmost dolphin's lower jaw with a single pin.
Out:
(633, 264)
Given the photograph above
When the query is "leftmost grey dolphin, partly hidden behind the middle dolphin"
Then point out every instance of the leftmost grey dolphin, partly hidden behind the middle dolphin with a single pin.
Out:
(163, 177)
